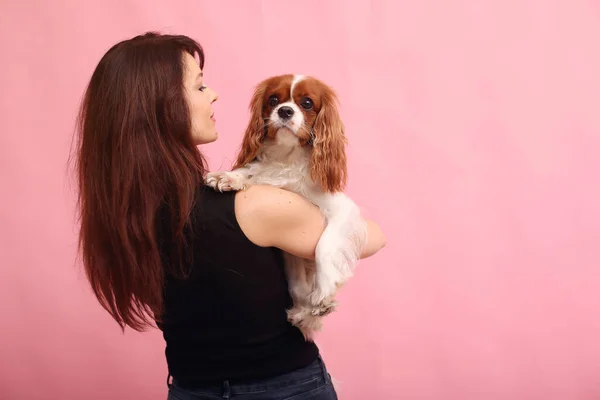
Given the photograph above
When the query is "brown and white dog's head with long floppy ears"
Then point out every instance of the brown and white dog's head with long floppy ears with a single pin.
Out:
(307, 108)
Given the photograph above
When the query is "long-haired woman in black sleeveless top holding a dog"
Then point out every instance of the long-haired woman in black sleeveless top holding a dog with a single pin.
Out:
(160, 247)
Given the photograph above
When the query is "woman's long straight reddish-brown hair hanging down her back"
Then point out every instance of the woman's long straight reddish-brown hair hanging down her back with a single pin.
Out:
(135, 157)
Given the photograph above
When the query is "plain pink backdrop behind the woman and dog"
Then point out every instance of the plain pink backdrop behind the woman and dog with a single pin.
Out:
(474, 135)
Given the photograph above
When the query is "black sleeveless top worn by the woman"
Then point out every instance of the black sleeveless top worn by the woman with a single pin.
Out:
(227, 319)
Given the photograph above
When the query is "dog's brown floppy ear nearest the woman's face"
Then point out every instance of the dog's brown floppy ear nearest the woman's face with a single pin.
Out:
(255, 130)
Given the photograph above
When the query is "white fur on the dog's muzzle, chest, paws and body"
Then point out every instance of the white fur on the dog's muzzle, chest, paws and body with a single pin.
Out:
(284, 163)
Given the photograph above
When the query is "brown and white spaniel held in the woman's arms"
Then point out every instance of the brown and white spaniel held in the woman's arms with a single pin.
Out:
(295, 140)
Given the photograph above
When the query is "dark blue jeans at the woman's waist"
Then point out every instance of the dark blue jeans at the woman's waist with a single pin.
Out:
(309, 383)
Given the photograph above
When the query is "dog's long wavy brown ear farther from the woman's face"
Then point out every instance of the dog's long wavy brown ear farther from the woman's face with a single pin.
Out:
(328, 166)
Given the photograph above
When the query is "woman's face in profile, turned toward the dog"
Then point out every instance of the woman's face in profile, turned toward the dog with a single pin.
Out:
(200, 99)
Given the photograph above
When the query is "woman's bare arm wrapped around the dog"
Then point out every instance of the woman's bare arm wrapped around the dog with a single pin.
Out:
(275, 217)
